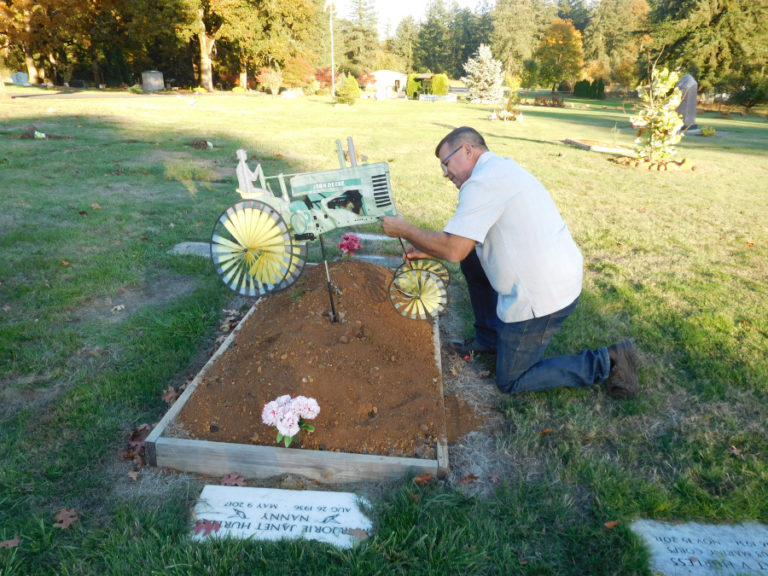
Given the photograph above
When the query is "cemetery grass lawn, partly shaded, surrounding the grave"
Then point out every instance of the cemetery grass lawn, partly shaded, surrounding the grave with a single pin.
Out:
(677, 260)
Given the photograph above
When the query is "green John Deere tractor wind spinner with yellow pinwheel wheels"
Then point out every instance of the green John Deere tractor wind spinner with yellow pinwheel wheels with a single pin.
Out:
(259, 244)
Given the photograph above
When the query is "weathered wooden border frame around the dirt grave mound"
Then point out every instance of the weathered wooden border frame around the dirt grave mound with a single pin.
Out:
(251, 461)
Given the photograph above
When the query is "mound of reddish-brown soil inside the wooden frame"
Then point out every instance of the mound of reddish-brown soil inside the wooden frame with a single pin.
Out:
(374, 373)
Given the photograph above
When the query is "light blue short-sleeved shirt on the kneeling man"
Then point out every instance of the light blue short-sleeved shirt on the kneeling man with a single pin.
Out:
(523, 243)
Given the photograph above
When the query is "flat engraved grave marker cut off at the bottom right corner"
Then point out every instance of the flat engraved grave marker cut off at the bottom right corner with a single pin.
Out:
(694, 549)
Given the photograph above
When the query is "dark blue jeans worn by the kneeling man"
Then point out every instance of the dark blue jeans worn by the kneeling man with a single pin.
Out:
(521, 345)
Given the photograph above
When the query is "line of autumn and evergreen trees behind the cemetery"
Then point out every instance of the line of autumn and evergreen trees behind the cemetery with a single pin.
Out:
(227, 43)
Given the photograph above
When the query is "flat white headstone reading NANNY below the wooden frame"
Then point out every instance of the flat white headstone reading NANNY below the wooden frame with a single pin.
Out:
(273, 514)
